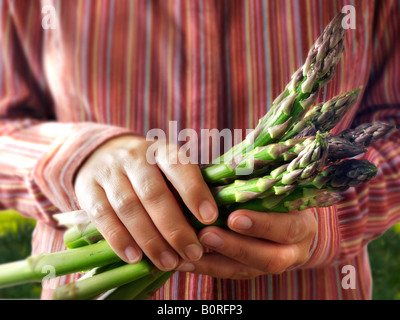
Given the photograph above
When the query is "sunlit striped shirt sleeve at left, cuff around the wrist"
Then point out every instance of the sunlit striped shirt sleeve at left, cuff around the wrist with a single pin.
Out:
(38, 155)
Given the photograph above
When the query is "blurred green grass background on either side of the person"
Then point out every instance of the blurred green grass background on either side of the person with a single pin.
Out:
(15, 244)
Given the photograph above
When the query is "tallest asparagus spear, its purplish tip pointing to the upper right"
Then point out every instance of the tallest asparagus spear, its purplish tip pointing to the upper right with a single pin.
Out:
(300, 94)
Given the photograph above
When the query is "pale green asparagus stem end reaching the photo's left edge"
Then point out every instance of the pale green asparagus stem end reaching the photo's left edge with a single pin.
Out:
(35, 268)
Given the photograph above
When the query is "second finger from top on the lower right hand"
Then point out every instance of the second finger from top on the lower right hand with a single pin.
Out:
(269, 257)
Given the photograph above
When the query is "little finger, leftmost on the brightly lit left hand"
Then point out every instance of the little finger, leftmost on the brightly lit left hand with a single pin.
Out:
(94, 201)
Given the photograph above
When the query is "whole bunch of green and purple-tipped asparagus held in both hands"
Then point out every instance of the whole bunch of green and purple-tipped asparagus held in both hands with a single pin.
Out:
(289, 162)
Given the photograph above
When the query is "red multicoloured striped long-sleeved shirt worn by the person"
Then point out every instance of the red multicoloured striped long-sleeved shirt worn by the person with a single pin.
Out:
(81, 72)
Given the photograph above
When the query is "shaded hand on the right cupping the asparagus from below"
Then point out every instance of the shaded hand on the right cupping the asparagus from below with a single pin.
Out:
(259, 243)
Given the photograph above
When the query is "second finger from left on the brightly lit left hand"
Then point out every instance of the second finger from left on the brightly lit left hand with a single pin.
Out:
(134, 217)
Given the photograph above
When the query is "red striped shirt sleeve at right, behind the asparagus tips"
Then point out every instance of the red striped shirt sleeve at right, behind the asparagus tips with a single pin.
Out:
(368, 211)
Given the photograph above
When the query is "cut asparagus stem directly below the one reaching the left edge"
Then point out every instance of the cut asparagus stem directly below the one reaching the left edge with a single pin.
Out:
(92, 287)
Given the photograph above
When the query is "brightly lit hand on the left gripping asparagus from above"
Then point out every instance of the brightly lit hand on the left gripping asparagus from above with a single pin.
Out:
(129, 202)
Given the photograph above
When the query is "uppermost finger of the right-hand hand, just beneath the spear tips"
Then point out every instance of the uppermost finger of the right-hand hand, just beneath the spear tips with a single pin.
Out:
(282, 228)
